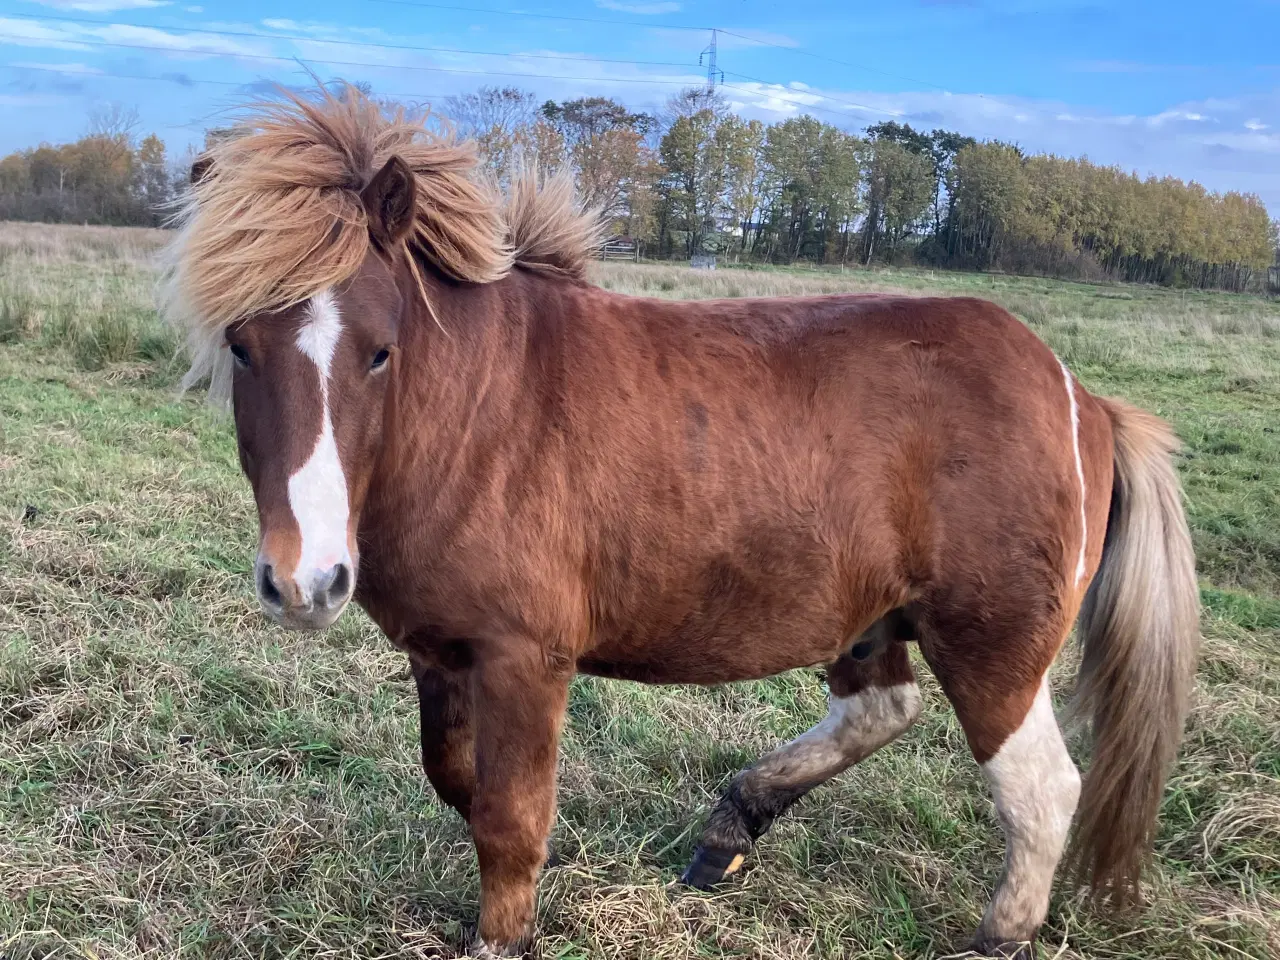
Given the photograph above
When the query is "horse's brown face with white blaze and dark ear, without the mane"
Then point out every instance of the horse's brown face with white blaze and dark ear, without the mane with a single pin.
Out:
(309, 391)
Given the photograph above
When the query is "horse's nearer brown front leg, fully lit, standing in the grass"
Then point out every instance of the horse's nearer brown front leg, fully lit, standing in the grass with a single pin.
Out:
(520, 694)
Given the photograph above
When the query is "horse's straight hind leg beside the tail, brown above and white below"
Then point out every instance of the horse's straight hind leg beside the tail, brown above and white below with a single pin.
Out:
(1000, 691)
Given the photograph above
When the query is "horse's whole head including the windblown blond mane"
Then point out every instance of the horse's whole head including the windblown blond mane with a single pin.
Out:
(307, 245)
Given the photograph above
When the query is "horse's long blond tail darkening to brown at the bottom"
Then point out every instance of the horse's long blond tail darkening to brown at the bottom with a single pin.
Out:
(1140, 633)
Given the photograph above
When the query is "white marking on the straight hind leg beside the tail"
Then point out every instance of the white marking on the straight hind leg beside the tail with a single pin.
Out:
(1036, 788)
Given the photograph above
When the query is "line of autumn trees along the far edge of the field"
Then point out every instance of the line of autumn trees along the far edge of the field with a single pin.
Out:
(696, 179)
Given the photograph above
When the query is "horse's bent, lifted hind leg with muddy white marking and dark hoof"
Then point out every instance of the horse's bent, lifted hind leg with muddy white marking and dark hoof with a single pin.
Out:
(874, 701)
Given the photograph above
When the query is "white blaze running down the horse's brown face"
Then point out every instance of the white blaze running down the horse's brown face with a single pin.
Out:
(318, 491)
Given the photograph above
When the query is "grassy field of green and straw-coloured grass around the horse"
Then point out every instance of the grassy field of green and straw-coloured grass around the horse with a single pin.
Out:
(181, 779)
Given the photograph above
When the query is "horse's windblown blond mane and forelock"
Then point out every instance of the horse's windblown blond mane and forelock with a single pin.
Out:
(277, 216)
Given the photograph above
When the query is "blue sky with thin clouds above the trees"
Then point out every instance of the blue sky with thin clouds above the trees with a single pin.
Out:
(1173, 88)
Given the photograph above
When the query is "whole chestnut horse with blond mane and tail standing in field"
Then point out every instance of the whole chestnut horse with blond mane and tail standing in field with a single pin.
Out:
(522, 477)
